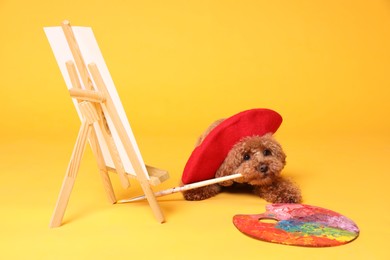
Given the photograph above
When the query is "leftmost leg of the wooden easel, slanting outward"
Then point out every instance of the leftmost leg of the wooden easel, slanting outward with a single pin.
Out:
(71, 174)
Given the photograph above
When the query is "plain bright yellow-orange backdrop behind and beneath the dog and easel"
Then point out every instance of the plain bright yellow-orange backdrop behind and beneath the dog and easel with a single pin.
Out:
(178, 66)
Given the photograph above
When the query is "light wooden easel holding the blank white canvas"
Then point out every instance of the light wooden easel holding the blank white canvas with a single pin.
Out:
(94, 103)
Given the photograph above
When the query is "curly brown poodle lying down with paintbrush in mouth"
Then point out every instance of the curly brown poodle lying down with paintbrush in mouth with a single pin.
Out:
(260, 159)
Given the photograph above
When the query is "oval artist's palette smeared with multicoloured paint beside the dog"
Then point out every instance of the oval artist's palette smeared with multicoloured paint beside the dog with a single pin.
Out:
(299, 225)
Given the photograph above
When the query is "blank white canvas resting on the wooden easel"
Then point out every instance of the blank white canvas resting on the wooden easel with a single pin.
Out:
(91, 54)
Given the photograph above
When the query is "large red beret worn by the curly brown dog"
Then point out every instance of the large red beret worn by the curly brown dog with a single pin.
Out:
(210, 154)
